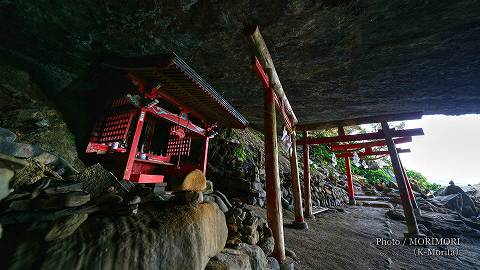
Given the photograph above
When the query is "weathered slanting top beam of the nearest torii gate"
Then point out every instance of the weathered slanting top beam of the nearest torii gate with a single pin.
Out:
(260, 50)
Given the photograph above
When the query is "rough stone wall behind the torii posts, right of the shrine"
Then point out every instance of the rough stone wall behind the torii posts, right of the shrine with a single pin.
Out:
(236, 166)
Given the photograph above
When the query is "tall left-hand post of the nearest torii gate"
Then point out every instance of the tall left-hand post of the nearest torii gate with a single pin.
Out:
(272, 182)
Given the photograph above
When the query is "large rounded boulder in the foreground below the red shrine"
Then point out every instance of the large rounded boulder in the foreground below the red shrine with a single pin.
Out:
(172, 237)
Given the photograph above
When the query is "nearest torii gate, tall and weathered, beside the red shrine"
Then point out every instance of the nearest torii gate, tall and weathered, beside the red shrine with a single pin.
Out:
(274, 96)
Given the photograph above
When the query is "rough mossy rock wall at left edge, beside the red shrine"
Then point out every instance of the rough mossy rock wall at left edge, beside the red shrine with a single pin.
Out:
(24, 111)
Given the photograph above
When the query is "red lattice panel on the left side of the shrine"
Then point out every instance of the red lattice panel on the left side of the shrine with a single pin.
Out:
(115, 127)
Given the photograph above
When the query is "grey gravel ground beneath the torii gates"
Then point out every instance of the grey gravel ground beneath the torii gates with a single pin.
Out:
(347, 240)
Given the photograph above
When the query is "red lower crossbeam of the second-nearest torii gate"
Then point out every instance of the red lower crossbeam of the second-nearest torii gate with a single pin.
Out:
(363, 137)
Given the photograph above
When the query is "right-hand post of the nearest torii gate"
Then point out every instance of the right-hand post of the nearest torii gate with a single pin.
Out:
(297, 193)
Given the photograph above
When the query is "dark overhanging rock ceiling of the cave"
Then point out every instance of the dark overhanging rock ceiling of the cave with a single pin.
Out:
(336, 59)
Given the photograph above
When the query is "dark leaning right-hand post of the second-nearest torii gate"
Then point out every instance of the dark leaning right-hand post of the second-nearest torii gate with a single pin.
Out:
(401, 182)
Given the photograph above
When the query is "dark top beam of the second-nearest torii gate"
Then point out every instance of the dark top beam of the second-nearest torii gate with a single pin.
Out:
(361, 120)
